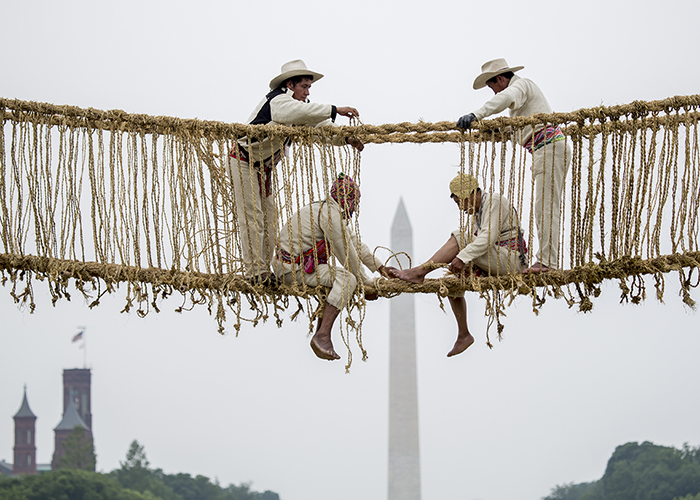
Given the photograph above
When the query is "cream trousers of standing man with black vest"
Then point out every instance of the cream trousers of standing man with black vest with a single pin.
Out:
(257, 218)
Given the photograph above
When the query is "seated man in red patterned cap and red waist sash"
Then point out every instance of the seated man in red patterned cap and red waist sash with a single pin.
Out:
(320, 230)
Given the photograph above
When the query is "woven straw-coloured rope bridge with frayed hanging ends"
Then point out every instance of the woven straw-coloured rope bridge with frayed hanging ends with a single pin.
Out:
(99, 199)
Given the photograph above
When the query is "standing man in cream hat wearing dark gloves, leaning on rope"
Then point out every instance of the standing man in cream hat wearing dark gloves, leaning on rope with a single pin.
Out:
(550, 149)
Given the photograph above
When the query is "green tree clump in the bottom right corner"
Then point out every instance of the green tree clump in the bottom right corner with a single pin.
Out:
(641, 472)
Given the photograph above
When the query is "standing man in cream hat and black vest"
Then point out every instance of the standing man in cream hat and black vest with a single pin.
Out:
(252, 161)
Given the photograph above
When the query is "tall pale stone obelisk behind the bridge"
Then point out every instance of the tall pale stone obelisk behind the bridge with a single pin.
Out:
(404, 455)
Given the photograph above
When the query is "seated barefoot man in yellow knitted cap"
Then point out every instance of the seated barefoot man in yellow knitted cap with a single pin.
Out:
(498, 247)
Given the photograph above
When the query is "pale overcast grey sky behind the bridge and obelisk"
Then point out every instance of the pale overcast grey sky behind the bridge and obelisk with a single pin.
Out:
(546, 406)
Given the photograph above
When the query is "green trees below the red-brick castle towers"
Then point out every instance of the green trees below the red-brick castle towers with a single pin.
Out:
(75, 479)
